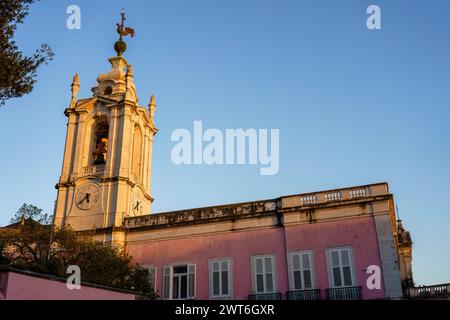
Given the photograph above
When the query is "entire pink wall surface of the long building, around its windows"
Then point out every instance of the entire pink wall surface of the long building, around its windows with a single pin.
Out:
(240, 246)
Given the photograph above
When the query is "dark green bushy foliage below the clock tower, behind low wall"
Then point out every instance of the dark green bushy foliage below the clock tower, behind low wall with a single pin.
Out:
(41, 248)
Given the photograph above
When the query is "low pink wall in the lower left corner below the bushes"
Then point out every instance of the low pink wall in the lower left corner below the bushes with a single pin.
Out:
(17, 286)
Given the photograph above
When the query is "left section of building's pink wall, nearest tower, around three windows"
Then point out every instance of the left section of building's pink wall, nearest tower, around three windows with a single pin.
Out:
(238, 245)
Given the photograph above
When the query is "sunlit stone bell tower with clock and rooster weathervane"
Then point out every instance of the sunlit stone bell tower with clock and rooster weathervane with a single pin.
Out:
(106, 168)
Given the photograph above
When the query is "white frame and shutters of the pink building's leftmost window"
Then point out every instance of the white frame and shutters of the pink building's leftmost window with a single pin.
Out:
(168, 276)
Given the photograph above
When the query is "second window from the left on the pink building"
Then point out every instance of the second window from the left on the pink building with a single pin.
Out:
(220, 280)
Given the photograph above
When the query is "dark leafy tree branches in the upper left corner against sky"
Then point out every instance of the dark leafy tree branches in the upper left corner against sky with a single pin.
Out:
(17, 71)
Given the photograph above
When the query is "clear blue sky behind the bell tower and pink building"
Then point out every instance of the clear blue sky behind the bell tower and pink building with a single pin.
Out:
(353, 106)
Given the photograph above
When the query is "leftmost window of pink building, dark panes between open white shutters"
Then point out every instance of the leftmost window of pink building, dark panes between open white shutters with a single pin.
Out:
(179, 282)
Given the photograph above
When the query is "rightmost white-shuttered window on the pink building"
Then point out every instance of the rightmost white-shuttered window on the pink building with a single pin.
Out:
(340, 267)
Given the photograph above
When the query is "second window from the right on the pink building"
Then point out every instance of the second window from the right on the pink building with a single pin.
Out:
(301, 270)
